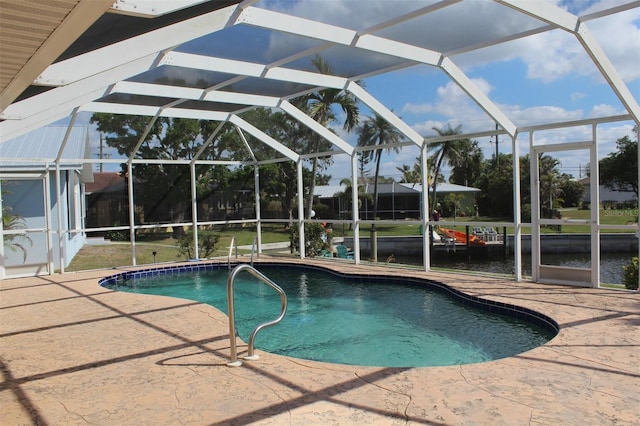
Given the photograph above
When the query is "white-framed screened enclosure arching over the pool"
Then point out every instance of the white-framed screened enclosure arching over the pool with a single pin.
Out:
(252, 74)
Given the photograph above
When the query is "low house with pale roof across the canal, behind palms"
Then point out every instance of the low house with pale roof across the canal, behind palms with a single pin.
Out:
(395, 200)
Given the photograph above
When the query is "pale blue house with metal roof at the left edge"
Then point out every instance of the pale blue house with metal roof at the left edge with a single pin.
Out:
(47, 201)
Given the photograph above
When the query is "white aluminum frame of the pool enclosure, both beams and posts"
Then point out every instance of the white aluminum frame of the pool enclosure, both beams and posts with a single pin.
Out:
(79, 83)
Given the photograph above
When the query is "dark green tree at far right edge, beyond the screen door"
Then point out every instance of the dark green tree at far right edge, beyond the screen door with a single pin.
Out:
(619, 170)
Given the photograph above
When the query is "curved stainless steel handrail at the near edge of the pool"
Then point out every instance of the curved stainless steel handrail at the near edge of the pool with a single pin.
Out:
(232, 324)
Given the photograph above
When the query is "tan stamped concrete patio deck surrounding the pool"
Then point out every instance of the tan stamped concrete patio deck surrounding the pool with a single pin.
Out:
(73, 353)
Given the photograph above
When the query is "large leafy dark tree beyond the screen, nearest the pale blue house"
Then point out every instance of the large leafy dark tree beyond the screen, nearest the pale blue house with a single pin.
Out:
(164, 188)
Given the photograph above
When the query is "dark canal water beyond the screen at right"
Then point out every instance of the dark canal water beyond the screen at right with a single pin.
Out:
(611, 264)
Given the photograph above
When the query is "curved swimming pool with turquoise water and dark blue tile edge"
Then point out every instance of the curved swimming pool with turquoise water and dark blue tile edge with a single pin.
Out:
(358, 320)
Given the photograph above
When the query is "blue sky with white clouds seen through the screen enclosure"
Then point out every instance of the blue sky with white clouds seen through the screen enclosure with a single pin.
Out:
(540, 79)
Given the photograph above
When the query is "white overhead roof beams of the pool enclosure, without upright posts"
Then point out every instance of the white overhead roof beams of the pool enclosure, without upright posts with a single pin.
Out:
(81, 81)
